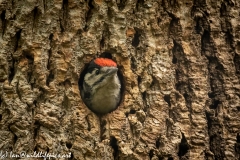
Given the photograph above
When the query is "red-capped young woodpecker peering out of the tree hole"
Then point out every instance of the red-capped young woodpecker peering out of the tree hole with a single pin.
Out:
(101, 86)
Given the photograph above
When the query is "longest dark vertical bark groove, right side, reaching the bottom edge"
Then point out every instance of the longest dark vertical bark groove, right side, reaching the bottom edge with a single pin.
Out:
(216, 82)
